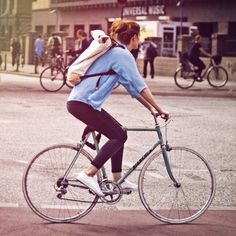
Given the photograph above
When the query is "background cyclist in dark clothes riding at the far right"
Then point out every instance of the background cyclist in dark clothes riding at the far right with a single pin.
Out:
(194, 56)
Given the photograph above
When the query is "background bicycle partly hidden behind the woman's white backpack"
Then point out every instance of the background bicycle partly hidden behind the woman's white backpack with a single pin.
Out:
(53, 77)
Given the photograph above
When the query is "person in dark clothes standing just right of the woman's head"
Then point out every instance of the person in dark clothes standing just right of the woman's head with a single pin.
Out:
(150, 52)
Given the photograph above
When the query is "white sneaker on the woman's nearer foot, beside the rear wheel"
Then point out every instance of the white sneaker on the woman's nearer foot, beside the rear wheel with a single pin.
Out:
(90, 182)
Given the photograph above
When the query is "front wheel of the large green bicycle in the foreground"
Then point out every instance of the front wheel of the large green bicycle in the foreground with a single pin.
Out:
(176, 204)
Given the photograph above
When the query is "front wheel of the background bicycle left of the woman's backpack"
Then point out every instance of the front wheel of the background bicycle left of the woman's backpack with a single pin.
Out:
(52, 79)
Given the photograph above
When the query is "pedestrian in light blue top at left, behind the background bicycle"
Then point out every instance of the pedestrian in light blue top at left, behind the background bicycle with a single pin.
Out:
(38, 53)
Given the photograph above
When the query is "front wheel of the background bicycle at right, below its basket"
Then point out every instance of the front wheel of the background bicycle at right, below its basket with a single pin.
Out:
(217, 76)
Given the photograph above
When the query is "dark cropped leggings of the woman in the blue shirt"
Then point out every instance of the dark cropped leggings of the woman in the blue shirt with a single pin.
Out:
(105, 124)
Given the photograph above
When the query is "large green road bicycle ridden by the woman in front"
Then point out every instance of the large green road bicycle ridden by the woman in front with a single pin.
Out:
(176, 184)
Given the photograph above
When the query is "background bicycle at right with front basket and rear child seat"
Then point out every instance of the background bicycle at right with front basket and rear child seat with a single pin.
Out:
(186, 75)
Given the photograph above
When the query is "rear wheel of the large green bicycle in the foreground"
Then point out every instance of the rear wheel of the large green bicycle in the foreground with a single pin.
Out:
(44, 173)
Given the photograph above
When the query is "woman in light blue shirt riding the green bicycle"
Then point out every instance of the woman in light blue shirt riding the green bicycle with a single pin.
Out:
(85, 101)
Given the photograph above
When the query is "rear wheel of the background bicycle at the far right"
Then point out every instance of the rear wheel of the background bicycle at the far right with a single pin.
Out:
(183, 82)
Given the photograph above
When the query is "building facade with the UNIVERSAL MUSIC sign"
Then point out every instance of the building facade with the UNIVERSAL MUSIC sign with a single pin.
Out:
(163, 20)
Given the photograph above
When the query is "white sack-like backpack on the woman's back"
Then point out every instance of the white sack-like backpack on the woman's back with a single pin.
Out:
(98, 47)
